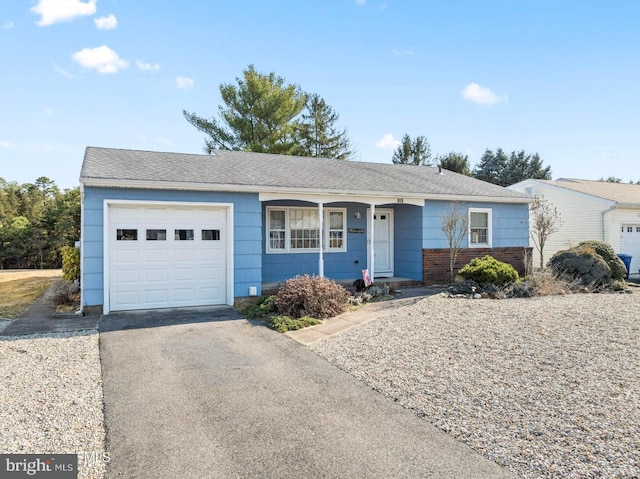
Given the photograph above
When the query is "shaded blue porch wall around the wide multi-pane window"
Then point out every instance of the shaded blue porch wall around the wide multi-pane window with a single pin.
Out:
(277, 267)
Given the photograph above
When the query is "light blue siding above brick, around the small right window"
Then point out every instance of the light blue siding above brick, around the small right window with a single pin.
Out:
(510, 223)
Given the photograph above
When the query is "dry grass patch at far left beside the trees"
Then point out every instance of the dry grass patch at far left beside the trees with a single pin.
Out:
(20, 288)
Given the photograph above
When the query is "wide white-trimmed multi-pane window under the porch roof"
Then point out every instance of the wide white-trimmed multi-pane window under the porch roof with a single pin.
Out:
(297, 230)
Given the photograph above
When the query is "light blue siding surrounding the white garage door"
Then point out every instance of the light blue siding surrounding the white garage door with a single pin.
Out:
(247, 234)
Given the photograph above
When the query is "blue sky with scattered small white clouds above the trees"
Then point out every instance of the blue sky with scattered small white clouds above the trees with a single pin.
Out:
(560, 78)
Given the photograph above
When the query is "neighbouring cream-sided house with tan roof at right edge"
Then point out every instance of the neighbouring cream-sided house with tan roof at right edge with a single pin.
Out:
(590, 210)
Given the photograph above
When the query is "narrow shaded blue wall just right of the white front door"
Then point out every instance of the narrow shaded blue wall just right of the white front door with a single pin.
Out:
(408, 242)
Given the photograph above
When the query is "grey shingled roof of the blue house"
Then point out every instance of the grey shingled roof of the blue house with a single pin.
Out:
(260, 172)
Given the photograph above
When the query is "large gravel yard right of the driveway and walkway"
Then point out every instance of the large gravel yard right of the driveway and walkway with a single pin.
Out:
(546, 387)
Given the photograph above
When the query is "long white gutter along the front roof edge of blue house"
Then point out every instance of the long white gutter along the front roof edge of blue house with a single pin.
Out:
(172, 185)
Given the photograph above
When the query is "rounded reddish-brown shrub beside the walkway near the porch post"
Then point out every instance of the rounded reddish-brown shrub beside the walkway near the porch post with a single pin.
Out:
(313, 296)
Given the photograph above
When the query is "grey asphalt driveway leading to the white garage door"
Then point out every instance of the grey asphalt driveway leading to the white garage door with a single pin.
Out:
(217, 396)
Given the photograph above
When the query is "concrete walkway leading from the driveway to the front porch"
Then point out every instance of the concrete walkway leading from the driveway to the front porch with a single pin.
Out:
(364, 314)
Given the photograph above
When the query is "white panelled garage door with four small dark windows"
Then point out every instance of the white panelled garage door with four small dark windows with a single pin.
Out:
(164, 257)
